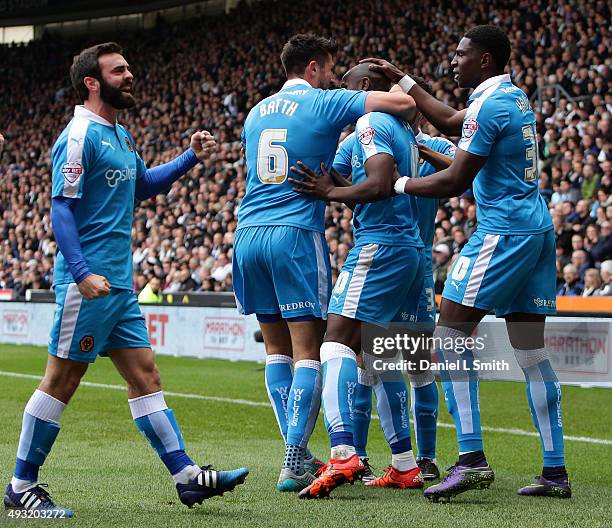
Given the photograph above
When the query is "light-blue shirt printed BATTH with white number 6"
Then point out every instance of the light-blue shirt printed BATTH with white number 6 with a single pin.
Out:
(299, 123)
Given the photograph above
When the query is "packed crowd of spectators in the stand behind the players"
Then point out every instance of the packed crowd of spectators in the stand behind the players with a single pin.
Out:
(184, 239)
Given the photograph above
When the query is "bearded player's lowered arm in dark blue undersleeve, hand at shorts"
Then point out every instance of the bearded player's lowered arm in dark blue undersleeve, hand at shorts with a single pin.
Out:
(66, 235)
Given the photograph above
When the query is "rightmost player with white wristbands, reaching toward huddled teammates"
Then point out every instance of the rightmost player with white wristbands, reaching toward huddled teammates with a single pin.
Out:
(509, 262)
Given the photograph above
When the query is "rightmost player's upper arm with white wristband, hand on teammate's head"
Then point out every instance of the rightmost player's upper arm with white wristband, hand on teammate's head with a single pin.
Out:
(446, 119)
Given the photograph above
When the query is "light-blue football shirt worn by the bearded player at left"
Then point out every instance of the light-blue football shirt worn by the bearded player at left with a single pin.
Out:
(96, 163)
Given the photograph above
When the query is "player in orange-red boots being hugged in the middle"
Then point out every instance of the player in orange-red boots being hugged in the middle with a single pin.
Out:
(387, 246)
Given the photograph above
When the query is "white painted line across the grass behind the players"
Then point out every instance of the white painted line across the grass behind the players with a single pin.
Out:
(512, 431)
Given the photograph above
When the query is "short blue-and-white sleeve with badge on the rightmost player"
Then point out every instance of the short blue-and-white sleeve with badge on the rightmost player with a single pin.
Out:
(482, 125)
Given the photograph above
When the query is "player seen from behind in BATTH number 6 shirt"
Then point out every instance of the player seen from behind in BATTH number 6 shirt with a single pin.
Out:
(281, 269)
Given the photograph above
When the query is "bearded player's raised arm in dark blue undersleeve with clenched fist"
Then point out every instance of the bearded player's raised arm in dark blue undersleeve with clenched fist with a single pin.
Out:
(158, 179)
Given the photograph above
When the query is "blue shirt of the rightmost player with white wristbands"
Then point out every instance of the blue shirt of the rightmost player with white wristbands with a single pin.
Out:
(500, 124)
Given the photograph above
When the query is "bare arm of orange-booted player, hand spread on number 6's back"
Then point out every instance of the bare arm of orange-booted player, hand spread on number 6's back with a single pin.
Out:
(377, 186)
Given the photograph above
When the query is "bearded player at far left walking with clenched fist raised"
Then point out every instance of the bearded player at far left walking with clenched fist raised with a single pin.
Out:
(97, 175)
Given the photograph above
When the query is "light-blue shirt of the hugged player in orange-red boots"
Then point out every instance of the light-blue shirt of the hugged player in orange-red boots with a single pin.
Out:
(393, 221)
